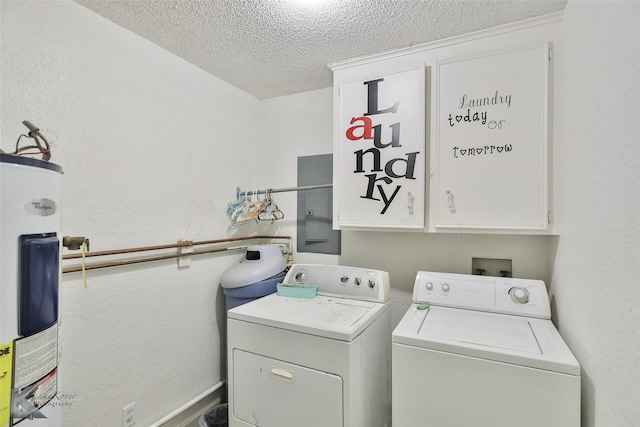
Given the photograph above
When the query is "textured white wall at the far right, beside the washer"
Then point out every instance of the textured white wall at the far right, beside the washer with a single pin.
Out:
(596, 268)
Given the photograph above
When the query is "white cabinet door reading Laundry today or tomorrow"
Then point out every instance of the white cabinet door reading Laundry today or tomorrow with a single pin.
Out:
(490, 159)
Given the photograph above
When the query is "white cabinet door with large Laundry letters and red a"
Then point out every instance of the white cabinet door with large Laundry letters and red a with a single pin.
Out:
(379, 151)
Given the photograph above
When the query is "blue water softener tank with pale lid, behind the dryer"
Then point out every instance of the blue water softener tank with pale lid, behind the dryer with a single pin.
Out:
(255, 276)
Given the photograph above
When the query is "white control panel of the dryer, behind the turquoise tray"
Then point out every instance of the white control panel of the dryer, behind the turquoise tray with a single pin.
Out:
(347, 282)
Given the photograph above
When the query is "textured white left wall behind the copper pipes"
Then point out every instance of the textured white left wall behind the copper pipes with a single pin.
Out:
(152, 149)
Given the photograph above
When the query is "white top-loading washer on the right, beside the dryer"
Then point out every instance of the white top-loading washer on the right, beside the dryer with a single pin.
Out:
(484, 353)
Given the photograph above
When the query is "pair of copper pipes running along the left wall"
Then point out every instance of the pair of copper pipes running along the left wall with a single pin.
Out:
(187, 243)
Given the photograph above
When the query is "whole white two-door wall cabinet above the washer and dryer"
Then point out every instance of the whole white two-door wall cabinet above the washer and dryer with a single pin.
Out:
(467, 149)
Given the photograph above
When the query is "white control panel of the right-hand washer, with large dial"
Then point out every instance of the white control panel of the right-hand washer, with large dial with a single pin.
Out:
(506, 295)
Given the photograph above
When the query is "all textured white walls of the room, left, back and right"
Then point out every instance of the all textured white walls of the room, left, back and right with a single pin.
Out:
(152, 148)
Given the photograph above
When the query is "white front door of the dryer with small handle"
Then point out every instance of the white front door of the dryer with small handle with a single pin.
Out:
(272, 393)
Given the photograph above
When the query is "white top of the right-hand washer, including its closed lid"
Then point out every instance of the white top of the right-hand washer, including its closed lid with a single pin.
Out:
(516, 340)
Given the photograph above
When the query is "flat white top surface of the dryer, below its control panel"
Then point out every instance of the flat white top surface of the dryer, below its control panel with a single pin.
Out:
(338, 318)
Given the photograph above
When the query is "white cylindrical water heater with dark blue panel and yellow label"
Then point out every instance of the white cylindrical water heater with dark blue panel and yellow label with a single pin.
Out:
(30, 275)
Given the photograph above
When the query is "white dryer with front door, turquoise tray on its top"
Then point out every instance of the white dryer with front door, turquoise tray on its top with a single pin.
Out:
(322, 362)
